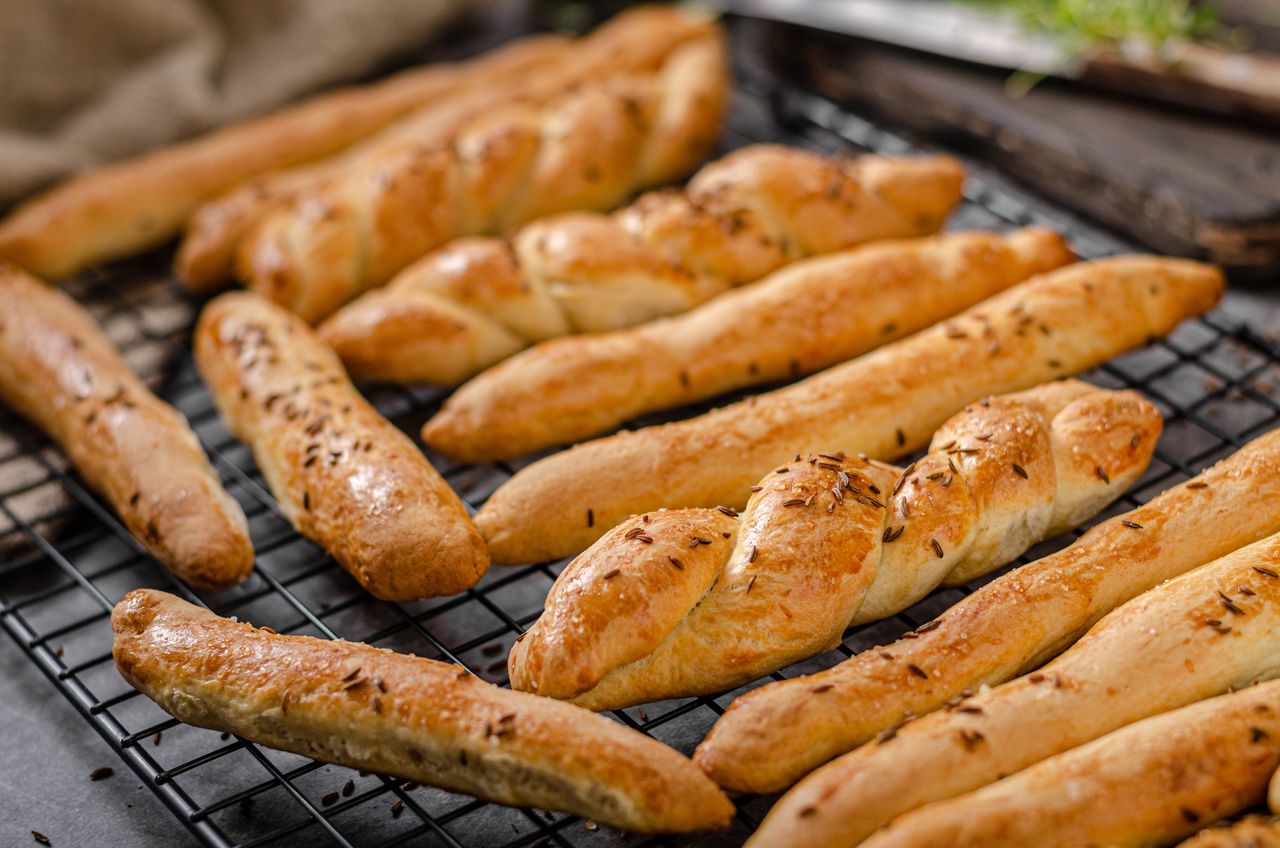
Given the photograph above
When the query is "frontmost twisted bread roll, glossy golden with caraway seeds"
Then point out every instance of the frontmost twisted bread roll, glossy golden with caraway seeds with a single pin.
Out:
(650, 613)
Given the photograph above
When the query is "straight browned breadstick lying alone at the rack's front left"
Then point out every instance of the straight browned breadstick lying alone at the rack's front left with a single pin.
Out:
(423, 721)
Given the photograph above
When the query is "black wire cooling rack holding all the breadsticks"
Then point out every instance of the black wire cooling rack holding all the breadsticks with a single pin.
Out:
(68, 559)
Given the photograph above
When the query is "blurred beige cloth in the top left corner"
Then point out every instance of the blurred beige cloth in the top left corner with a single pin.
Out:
(89, 81)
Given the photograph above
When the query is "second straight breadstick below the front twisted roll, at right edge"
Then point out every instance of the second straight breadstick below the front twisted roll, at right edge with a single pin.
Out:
(1192, 639)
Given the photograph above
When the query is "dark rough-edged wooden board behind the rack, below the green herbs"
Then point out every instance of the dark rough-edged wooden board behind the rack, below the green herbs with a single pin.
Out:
(1185, 185)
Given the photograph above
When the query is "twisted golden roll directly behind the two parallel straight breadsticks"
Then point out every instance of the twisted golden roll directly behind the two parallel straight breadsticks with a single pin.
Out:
(478, 302)
